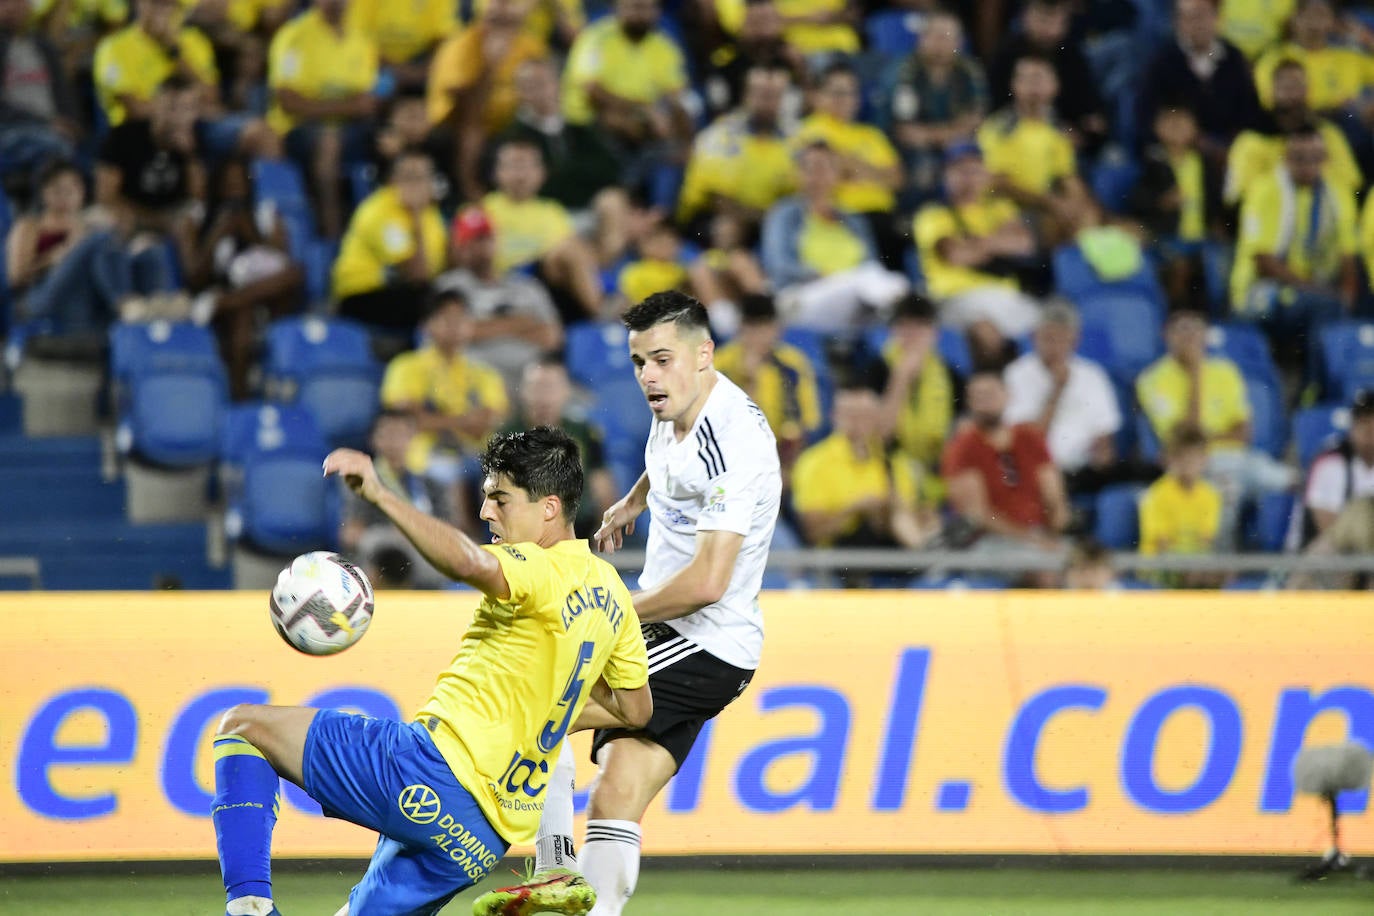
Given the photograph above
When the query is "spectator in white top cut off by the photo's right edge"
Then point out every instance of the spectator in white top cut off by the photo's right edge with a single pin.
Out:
(1339, 476)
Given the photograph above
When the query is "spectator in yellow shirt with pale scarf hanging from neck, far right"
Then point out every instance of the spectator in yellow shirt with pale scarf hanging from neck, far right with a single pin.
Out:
(1295, 255)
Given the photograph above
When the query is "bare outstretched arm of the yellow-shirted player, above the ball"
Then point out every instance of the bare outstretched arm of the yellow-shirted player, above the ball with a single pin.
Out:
(449, 550)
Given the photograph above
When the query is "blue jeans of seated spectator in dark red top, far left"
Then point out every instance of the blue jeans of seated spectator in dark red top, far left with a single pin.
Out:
(80, 295)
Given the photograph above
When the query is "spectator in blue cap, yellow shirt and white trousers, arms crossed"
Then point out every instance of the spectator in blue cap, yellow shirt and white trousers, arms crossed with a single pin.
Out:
(969, 248)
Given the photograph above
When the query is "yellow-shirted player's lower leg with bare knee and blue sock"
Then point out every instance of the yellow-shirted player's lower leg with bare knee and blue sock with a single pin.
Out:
(252, 746)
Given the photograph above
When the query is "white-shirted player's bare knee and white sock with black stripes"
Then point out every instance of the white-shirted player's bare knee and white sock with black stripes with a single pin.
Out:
(633, 772)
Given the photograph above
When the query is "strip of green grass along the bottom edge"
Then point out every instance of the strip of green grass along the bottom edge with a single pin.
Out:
(947, 892)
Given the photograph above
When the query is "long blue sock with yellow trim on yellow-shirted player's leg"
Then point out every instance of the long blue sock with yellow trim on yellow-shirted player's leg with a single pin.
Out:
(247, 799)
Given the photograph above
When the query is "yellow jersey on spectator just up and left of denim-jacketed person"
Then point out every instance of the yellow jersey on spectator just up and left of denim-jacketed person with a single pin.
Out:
(732, 161)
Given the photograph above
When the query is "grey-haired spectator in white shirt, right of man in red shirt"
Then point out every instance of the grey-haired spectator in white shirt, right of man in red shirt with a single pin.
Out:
(1071, 399)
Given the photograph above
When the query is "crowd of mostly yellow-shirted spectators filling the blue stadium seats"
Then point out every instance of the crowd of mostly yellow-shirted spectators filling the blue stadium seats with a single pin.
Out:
(1001, 275)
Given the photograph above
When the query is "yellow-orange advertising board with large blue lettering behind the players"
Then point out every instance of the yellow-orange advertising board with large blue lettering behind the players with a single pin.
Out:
(879, 723)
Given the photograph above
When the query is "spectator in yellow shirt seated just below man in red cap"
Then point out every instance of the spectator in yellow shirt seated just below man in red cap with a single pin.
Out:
(457, 402)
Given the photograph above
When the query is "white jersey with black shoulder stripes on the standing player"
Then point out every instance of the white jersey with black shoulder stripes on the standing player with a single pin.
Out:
(722, 477)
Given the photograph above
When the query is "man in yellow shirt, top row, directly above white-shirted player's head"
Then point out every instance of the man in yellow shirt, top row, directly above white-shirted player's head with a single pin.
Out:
(627, 75)
